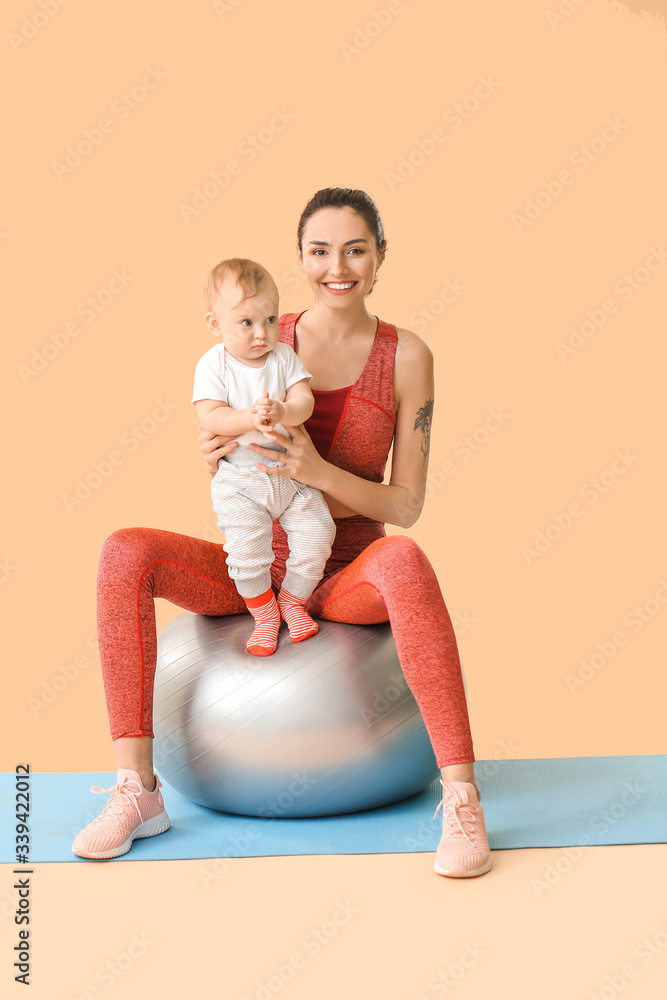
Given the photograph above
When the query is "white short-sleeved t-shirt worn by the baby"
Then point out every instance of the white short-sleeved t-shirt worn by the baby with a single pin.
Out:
(220, 376)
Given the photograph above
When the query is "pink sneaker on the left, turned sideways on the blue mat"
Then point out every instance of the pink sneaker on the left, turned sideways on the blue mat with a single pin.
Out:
(130, 813)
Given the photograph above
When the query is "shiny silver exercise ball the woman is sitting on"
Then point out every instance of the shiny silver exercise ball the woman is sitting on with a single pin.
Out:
(321, 727)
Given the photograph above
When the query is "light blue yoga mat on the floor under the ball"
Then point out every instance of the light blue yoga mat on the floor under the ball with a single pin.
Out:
(551, 802)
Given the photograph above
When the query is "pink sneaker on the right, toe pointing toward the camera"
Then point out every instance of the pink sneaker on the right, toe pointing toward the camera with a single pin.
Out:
(464, 848)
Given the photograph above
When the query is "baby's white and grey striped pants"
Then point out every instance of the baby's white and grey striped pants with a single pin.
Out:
(247, 502)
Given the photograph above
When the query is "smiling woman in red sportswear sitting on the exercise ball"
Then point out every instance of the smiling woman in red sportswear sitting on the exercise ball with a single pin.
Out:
(373, 386)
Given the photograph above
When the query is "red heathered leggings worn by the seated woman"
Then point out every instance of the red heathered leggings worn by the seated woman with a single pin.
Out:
(389, 580)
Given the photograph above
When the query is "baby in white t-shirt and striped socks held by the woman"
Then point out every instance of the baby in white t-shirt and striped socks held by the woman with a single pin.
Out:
(249, 384)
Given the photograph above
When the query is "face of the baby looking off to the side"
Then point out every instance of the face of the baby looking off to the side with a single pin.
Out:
(249, 327)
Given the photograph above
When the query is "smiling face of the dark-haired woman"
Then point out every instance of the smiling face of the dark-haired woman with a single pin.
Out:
(339, 256)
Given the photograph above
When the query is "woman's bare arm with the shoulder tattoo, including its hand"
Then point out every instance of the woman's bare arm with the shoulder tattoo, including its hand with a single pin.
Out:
(400, 501)
